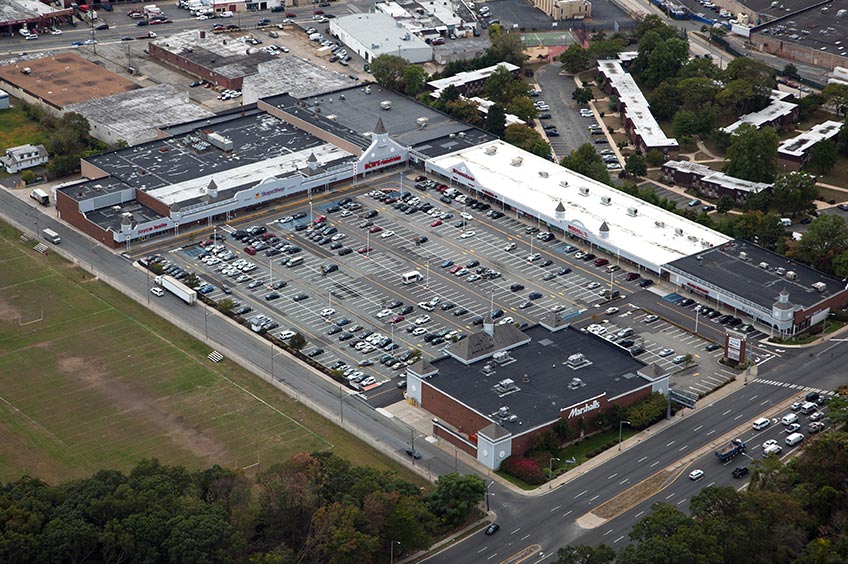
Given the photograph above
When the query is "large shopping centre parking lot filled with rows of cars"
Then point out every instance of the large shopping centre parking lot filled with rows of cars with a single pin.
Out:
(346, 295)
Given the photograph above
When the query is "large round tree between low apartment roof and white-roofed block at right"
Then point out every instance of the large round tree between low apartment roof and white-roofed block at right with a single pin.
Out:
(752, 154)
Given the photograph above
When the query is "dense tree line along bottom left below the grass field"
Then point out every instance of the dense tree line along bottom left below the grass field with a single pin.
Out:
(312, 508)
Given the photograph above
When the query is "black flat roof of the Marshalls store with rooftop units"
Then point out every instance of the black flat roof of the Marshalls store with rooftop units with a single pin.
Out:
(541, 377)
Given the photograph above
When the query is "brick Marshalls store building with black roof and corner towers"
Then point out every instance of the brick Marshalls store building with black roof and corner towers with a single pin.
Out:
(500, 389)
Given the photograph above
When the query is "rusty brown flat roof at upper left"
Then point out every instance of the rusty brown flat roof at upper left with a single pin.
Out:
(65, 78)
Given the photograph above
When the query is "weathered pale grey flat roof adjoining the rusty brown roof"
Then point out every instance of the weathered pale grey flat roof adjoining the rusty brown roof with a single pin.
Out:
(137, 115)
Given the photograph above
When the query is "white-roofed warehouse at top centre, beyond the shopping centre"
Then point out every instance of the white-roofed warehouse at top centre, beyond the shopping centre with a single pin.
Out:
(370, 35)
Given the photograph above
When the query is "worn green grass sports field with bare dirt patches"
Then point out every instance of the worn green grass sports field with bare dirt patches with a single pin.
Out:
(100, 382)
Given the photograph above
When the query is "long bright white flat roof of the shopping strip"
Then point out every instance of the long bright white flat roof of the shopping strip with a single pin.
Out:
(538, 185)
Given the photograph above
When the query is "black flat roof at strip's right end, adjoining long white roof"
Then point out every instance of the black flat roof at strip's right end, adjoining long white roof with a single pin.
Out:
(736, 268)
